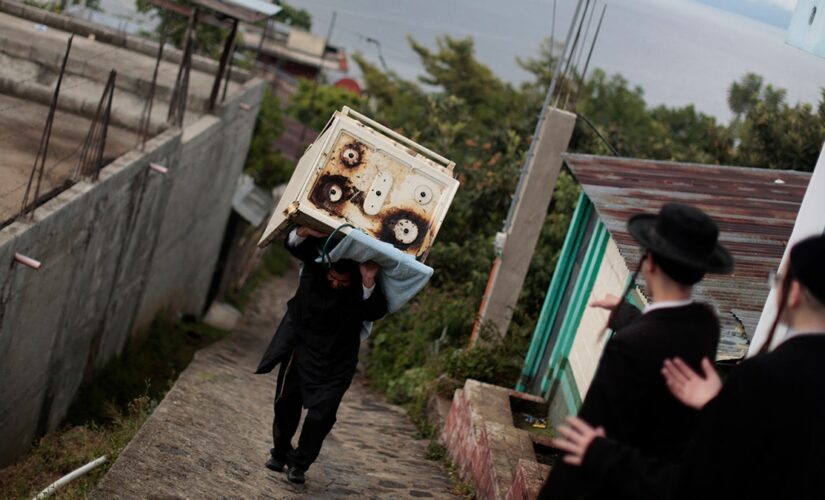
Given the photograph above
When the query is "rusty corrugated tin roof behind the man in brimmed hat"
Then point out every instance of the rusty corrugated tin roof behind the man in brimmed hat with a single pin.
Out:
(754, 208)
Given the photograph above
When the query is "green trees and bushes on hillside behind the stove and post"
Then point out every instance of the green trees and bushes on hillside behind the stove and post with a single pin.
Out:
(484, 124)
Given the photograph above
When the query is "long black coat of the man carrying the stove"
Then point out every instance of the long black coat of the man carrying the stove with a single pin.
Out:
(320, 331)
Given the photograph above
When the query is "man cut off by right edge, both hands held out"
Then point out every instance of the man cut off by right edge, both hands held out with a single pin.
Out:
(762, 434)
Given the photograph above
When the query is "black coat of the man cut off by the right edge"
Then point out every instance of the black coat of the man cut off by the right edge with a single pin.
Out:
(763, 436)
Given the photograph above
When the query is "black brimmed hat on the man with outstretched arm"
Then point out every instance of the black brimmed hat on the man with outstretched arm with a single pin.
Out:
(682, 234)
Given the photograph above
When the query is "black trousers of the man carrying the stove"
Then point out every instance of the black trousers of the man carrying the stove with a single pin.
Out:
(318, 422)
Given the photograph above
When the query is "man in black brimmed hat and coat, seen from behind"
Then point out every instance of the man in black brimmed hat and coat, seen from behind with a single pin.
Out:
(627, 396)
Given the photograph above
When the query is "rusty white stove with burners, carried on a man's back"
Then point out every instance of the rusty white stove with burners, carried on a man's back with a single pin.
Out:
(362, 173)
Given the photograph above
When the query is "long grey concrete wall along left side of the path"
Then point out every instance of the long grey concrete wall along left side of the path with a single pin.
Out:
(114, 253)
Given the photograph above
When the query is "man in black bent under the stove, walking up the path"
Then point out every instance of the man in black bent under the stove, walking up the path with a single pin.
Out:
(316, 345)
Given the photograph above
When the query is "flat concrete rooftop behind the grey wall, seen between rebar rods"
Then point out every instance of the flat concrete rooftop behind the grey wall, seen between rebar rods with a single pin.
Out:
(32, 46)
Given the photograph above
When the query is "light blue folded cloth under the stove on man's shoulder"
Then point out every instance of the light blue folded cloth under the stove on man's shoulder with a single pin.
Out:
(402, 277)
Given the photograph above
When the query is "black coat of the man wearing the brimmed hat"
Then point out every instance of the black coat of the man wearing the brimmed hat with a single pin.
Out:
(628, 395)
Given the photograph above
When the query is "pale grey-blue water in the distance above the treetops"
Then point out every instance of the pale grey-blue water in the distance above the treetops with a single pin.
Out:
(679, 51)
